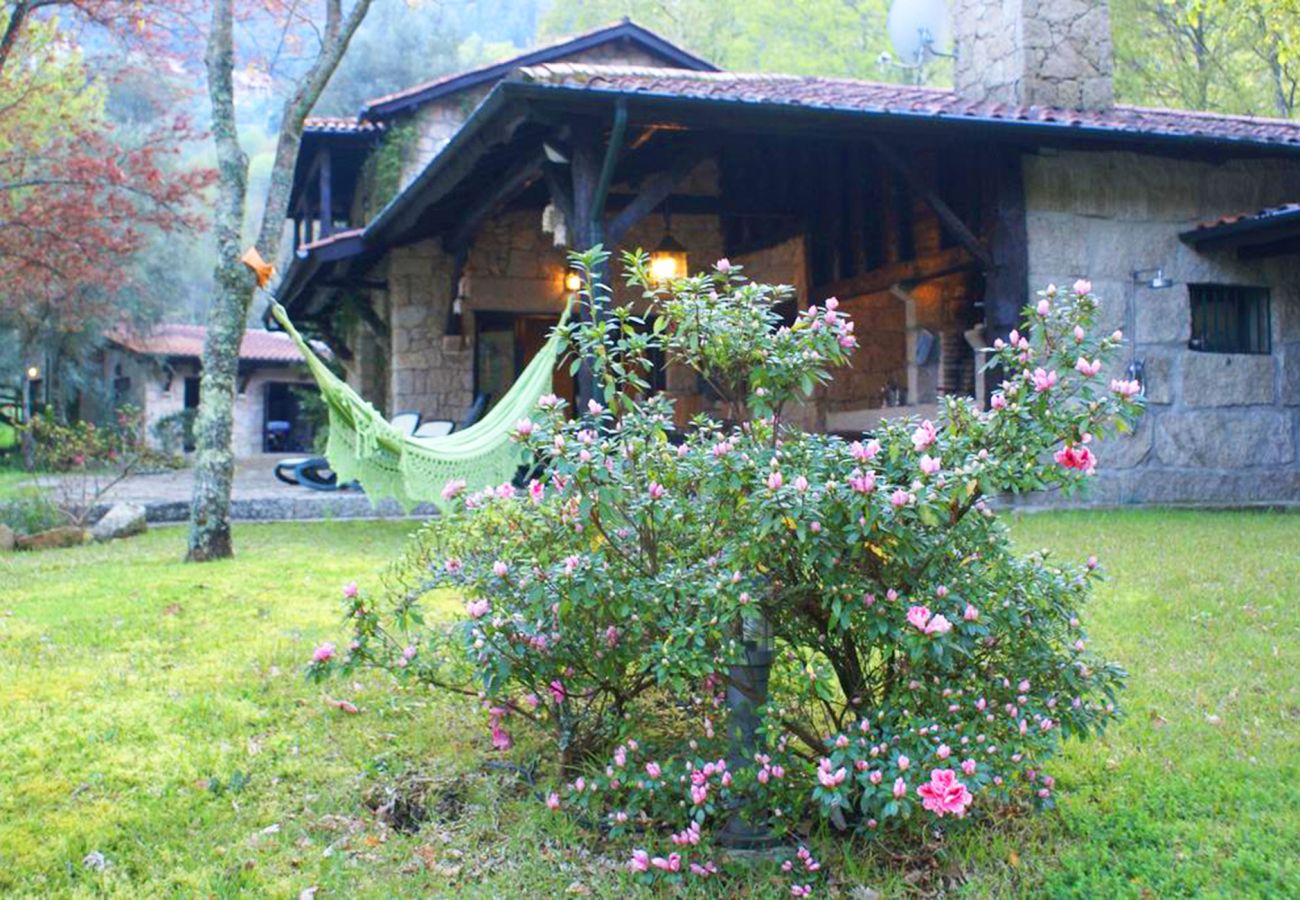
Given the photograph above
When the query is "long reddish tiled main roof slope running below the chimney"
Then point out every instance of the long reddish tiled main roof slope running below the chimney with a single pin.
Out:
(904, 101)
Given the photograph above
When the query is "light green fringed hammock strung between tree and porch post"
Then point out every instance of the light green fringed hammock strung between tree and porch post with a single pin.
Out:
(365, 448)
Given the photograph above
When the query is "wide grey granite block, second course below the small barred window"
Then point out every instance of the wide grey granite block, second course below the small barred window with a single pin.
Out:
(1223, 439)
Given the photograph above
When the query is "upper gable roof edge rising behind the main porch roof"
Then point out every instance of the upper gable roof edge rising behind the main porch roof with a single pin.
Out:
(493, 71)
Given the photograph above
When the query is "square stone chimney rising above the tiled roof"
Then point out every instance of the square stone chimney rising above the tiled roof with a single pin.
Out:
(1034, 53)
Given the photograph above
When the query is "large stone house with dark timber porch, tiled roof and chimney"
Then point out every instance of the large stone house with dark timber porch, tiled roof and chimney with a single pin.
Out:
(431, 231)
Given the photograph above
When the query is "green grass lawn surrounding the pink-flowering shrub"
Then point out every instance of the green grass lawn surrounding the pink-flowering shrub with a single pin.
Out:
(157, 713)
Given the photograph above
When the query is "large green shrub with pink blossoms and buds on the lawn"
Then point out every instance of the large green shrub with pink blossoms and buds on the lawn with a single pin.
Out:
(924, 672)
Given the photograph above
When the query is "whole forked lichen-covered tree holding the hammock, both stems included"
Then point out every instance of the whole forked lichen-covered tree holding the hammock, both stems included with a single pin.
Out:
(324, 32)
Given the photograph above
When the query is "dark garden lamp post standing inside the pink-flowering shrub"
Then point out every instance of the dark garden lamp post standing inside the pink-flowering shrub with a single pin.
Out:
(747, 694)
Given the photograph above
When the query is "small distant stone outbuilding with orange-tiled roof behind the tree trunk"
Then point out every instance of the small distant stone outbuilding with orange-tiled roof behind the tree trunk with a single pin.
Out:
(159, 374)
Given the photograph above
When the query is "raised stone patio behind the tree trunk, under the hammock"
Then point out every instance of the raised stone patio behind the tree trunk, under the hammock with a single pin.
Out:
(258, 496)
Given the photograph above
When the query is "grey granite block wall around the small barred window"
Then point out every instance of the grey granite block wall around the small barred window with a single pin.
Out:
(1220, 429)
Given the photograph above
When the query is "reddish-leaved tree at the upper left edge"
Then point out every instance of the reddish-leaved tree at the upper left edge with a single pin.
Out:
(80, 197)
